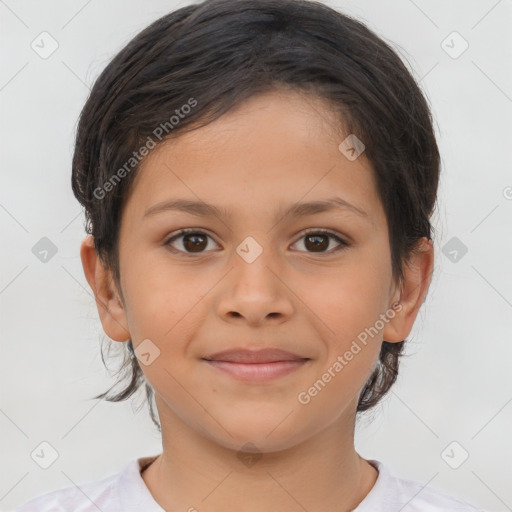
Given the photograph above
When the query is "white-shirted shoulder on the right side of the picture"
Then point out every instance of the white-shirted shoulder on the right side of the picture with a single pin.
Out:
(393, 493)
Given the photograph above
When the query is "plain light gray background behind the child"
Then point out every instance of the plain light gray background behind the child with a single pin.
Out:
(456, 385)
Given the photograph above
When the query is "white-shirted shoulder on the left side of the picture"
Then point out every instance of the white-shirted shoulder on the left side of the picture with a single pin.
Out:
(89, 497)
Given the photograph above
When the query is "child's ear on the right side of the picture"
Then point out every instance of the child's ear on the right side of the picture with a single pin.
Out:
(417, 276)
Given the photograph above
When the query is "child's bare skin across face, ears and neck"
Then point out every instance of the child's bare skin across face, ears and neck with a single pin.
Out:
(275, 150)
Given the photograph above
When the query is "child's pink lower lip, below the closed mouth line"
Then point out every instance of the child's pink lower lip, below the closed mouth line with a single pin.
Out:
(258, 371)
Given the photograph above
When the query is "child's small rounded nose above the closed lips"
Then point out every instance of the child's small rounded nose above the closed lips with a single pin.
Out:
(256, 292)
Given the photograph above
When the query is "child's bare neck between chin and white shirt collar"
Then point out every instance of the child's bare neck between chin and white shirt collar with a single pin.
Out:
(322, 473)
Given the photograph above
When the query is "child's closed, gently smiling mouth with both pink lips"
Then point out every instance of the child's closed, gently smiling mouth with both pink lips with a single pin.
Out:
(256, 365)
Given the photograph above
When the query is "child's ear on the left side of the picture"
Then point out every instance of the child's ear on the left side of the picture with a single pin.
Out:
(108, 302)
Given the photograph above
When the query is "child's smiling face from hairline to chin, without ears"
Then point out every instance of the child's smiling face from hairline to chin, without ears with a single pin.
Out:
(249, 275)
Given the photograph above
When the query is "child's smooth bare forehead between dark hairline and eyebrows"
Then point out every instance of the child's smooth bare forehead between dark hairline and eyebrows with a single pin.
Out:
(274, 149)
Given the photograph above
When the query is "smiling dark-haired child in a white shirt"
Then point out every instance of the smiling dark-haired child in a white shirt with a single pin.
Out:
(258, 178)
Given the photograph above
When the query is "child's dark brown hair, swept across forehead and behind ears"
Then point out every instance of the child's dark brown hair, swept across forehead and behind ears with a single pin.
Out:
(213, 56)
